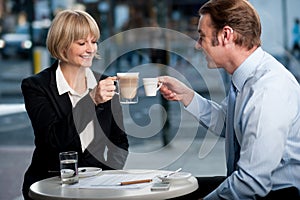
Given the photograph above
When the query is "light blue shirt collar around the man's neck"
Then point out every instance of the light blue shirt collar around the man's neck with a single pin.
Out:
(246, 69)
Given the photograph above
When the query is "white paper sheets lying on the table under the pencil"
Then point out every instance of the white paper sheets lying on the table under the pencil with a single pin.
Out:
(113, 181)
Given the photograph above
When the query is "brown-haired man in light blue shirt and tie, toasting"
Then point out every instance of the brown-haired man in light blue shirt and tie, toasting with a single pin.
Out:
(263, 152)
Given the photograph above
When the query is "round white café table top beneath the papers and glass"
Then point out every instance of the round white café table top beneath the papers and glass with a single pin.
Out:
(51, 189)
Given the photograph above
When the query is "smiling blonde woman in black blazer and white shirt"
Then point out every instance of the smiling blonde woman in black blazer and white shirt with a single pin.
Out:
(69, 110)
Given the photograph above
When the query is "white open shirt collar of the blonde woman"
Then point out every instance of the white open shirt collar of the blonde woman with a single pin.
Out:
(63, 86)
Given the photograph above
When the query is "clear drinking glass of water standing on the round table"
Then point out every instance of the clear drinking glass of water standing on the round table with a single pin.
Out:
(68, 167)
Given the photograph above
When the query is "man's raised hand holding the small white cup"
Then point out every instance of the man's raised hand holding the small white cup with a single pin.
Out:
(174, 90)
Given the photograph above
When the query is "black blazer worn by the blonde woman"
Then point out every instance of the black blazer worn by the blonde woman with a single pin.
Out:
(57, 126)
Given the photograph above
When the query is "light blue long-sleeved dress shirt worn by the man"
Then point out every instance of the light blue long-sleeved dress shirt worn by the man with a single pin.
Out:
(267, 126)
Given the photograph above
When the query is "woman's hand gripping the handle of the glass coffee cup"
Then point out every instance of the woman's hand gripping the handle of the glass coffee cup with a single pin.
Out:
(104, 91)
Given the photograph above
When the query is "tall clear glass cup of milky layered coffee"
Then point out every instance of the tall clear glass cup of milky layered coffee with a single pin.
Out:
(127, 87)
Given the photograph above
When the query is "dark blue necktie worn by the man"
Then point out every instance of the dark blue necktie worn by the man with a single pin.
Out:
(232, 147)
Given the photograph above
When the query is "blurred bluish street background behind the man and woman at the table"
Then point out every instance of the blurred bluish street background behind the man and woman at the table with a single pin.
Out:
(161, 134)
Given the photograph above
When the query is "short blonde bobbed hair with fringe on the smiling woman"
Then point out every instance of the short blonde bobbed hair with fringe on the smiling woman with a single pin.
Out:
(67, 27)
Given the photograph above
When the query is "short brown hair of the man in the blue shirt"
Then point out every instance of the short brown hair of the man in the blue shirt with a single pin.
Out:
(240, 15)
